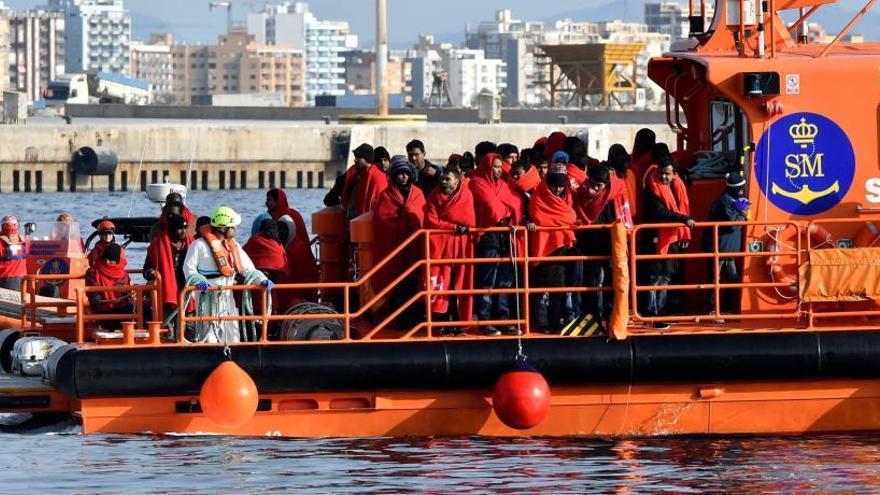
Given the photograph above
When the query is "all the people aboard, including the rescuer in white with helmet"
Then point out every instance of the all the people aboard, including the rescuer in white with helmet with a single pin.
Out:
(547, 188)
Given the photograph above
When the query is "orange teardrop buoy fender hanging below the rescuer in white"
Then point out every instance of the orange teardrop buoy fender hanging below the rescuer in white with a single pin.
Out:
(229, 396)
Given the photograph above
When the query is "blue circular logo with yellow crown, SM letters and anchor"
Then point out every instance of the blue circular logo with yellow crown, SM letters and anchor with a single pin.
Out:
(805, 163)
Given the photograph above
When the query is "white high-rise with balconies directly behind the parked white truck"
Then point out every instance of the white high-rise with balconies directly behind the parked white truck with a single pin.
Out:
(98, 35)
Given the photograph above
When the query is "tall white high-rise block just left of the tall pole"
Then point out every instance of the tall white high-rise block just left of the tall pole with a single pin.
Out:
(293, 25)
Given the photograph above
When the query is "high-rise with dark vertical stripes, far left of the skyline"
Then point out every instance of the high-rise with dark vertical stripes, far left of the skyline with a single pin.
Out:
(36, 50)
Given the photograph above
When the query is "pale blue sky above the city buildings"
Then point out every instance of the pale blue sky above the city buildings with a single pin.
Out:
(194, 22)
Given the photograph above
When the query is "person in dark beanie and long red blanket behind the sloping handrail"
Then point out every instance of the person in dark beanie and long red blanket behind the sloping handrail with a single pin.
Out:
(399, 213)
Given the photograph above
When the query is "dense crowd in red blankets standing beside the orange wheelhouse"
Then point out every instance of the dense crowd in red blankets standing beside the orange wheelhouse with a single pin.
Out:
(547, 188)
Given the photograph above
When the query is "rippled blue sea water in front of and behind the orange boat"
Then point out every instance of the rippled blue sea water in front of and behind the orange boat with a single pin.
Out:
(58, 459)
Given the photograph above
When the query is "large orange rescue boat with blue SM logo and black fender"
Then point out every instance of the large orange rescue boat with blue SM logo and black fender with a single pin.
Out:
(801, 353)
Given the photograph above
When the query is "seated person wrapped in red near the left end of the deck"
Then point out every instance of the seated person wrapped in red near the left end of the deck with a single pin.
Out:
(109, 270)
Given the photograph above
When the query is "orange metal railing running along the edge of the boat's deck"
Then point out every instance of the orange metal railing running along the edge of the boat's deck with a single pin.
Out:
(788, 249)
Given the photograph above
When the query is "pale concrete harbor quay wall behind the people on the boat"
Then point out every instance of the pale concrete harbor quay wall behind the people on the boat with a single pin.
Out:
(37, 158)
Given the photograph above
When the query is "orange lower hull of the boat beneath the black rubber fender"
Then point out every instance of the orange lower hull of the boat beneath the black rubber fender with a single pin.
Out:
(649, 410)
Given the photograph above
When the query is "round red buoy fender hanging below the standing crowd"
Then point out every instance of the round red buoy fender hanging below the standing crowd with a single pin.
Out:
(521, 399)
